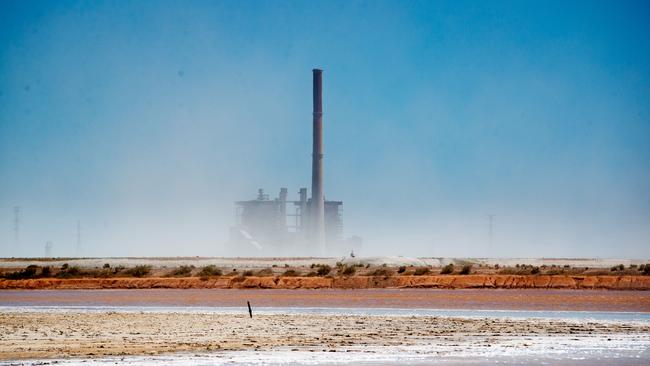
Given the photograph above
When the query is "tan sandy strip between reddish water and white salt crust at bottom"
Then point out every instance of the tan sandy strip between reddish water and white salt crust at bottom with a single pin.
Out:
(37, 335)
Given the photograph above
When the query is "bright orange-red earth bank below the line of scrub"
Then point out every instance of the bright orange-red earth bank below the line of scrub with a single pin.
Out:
(354, 282)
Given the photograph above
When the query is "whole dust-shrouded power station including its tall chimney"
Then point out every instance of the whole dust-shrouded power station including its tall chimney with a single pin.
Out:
(307, 226)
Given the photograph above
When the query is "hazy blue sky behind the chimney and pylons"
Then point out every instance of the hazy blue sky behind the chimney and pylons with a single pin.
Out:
(144, 120)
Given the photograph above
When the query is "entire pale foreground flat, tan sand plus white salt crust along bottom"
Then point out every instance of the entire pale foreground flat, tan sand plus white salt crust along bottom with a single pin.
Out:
(83, 335)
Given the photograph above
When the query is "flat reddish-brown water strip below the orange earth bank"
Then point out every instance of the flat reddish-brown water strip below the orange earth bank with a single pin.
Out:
(530, 299)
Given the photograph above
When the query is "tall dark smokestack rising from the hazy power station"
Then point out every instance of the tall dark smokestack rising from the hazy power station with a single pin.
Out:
(317, 209)
